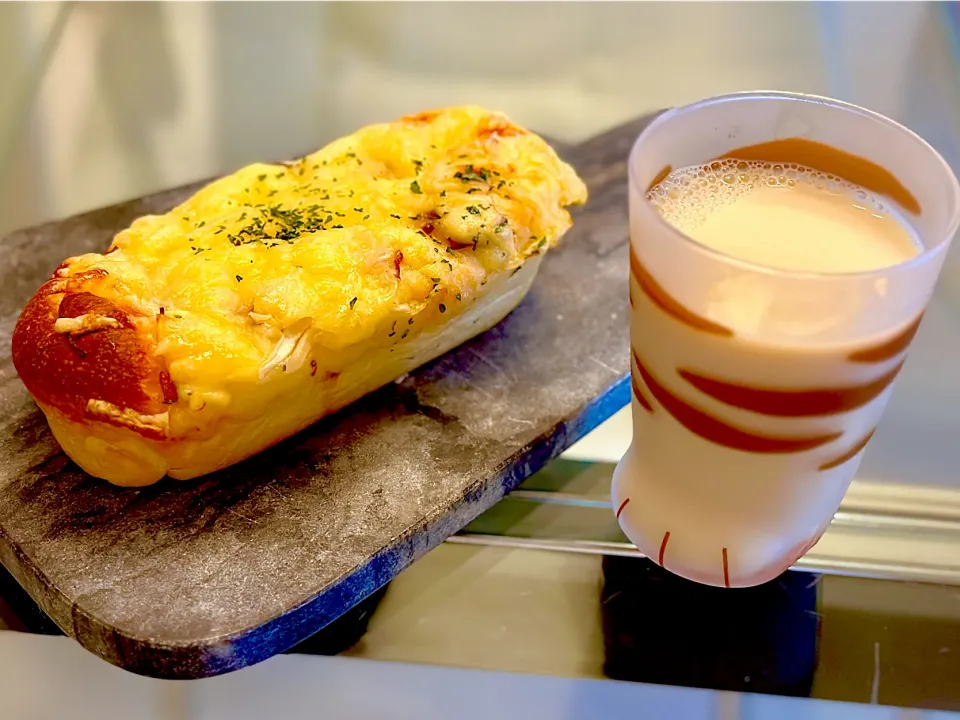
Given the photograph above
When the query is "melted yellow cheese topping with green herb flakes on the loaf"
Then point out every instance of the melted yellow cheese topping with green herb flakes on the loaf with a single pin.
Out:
(358, 244)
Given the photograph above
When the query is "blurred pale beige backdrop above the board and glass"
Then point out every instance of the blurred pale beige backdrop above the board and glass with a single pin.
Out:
(108, 101)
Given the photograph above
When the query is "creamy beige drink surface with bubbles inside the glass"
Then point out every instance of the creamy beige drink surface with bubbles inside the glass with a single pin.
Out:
(785, 215)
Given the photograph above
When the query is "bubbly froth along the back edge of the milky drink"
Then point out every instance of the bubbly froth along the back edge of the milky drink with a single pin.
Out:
(687, 196)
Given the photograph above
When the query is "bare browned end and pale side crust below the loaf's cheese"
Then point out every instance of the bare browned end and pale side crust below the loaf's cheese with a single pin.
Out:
(128, 444)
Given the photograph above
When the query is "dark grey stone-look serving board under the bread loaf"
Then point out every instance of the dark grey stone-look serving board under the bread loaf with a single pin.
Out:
(197, 578)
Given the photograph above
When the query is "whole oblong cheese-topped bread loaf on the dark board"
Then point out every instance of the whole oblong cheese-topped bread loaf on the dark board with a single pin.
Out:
(283, 292)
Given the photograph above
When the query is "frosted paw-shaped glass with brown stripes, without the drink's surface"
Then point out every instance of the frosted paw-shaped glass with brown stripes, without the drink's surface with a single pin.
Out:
(756, 390)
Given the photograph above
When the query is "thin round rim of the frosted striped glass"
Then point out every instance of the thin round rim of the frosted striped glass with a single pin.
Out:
(915, 261)
